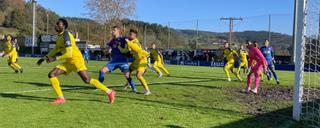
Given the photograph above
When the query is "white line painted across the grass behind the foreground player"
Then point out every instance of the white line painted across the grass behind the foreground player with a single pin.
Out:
(76, 88)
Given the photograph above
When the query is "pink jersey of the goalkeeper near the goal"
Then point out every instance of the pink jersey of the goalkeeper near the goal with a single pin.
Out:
(256, 55)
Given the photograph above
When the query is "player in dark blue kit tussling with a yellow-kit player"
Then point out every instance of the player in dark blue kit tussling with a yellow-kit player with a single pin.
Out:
(118, 59)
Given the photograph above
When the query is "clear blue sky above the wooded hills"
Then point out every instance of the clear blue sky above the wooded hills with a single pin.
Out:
(183, 14)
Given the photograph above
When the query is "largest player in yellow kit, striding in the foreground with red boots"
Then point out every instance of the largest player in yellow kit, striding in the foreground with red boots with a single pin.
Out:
(66, 49)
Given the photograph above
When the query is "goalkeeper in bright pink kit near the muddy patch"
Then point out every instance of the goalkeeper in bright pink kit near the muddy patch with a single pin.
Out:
(261, 65)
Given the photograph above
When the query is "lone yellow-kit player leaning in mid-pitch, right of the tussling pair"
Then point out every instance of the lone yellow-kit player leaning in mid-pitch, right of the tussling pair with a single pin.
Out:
(158, 63)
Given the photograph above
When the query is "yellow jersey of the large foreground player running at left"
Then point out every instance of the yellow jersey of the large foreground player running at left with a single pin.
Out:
(67, 49)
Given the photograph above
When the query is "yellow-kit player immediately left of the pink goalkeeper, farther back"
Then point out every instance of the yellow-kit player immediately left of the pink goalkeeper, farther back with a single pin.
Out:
(243, 59)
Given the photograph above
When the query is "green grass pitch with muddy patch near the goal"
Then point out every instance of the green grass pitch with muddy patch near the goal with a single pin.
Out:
(192, 97)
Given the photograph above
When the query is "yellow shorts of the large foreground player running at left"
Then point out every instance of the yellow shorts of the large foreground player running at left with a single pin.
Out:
(72, 67)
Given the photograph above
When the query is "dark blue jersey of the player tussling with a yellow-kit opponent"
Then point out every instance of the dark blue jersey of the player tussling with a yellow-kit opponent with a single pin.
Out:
(116, 55)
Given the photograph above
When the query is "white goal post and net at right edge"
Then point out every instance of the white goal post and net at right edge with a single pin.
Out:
(306, 105)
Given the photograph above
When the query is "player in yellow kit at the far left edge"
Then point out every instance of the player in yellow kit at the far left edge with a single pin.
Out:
(11, 52)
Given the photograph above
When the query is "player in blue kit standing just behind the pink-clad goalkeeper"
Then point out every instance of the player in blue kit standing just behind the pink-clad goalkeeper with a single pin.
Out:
(267, 52)
